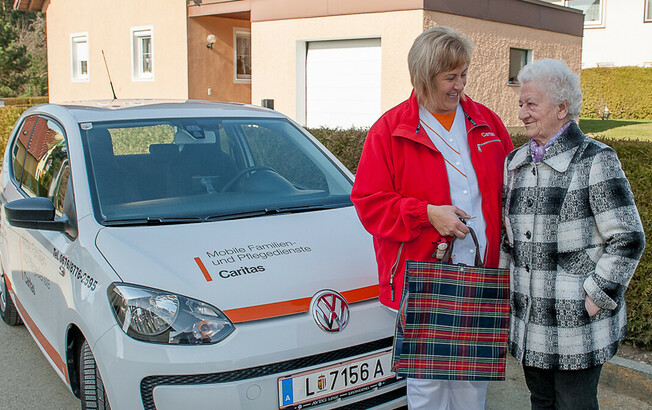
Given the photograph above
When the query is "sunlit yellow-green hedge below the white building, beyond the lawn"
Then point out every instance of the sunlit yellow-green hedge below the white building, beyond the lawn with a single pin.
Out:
(625, 90)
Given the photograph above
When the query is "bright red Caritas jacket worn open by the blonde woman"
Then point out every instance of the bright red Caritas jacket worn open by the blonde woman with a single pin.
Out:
(400, 172)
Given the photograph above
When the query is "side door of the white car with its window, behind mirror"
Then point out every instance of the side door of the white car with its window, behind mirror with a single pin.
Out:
(45, 285)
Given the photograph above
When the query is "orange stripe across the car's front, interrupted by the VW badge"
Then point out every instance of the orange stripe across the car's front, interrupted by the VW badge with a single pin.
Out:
(291, 307)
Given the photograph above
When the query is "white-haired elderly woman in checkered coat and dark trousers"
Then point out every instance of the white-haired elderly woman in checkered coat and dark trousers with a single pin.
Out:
(573, 240)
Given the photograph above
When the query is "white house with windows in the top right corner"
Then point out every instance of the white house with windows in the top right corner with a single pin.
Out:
(616, 32)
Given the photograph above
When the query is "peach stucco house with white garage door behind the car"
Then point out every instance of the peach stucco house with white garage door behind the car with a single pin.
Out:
(334, 63)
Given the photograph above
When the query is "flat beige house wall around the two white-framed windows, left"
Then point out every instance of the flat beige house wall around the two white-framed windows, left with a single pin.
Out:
(108, 24)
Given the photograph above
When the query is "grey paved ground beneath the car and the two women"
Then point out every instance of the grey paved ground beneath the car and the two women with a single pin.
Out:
(27, 381)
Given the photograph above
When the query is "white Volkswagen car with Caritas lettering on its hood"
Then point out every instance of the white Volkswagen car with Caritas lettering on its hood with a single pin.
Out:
(191, 254)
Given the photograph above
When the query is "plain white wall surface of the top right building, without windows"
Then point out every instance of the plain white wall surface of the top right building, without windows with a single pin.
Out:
(623, 41)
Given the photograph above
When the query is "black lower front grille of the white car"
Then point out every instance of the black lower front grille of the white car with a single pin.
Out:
(148, 384)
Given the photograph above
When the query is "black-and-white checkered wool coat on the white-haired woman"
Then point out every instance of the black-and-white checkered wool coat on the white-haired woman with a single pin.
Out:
(572, 229)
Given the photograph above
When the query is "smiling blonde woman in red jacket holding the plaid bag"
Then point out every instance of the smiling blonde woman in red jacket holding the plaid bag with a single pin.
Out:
(426, 163)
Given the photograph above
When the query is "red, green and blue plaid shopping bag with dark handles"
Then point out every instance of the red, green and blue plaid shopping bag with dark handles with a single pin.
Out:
(452, 322)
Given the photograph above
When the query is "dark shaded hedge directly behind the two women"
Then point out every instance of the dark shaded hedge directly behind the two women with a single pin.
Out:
(636, 159)
